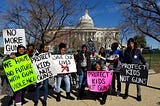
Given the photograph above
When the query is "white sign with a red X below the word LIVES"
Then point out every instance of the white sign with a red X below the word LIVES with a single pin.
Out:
(64, 63)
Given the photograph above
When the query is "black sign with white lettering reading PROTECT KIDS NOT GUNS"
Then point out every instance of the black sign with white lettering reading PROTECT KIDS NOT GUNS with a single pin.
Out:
(134, 73)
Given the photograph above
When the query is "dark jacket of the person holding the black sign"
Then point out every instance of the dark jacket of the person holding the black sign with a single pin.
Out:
(133, 56)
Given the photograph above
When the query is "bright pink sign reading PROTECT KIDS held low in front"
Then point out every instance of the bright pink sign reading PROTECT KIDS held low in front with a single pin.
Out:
(99, 81)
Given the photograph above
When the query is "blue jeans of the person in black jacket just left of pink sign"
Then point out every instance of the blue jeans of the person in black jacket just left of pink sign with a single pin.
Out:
(82, 79)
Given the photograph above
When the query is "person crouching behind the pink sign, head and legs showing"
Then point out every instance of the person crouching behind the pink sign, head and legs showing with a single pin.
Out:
(99, 95)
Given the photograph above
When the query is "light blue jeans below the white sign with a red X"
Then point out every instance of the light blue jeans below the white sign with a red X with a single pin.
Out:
(59, 80)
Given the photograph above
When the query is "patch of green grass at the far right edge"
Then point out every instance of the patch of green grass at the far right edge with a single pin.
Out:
(153, 59)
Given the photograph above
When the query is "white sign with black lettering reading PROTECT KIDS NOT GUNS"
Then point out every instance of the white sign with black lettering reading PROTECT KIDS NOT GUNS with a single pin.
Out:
(43, 66)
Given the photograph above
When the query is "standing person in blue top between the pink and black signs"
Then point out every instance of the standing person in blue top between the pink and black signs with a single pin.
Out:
(116, 74)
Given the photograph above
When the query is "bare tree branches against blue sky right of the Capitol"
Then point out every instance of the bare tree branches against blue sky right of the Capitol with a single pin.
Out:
(142, 16)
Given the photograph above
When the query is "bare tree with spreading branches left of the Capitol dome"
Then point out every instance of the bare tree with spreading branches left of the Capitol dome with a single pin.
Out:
(38, 17)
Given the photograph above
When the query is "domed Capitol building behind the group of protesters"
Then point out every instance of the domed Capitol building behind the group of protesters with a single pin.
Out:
(85, 30)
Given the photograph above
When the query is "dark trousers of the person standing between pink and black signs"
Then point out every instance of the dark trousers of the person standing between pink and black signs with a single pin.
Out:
(116, 74)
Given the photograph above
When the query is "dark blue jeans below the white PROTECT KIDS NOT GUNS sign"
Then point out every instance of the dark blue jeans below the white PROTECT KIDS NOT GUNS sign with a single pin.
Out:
(45, 85)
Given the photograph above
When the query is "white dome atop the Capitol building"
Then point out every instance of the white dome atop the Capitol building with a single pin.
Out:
(85, 21)
